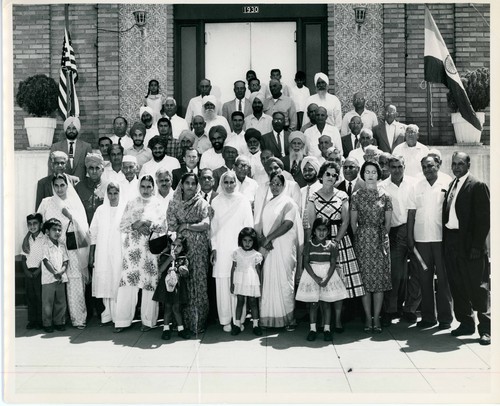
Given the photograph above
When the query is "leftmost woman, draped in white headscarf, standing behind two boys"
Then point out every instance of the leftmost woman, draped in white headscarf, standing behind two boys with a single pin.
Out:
(67, 207)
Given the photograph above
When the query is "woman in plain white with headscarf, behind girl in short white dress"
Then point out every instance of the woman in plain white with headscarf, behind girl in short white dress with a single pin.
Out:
(232, 212)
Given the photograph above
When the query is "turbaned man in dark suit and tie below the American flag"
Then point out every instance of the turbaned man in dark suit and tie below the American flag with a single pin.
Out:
(75, 149)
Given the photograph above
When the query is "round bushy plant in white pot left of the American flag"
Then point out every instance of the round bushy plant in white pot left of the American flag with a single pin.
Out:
(37, 95)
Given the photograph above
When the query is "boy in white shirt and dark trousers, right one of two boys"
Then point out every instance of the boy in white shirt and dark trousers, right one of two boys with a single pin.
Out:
(54, 265)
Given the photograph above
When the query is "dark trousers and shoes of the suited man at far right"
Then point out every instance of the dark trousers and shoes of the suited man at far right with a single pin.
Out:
(469, 279)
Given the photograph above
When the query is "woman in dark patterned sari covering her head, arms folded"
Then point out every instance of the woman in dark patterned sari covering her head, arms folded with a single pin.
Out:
(187, 215)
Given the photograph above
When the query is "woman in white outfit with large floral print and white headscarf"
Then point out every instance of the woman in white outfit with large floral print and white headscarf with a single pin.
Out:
(143, 215)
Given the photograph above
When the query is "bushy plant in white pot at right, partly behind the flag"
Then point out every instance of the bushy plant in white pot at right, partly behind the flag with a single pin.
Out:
(477, 87)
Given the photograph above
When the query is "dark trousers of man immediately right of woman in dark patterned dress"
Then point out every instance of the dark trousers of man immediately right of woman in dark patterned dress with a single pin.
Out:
(394, 298)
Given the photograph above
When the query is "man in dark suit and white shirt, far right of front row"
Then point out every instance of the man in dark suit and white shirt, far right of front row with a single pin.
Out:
(466, 221)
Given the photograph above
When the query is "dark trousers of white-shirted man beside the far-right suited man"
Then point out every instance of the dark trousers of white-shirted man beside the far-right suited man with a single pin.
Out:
(432, 255)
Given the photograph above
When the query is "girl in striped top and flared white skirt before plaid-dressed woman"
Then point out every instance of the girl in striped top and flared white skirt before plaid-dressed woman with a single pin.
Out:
(321, 283)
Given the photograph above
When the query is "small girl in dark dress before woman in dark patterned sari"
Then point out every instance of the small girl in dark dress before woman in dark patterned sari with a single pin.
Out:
(172, 287)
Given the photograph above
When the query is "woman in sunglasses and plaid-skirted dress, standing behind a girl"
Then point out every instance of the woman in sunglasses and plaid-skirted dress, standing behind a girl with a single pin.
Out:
(333, 204)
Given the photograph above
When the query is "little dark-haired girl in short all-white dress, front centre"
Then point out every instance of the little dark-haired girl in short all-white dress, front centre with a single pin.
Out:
(246, 276)
